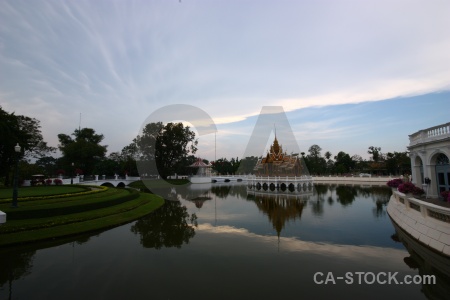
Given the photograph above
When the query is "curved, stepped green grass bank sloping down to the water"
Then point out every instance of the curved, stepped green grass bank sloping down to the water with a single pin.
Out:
(48, 219)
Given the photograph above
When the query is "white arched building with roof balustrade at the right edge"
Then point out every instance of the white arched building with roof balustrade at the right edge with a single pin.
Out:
(429, 152)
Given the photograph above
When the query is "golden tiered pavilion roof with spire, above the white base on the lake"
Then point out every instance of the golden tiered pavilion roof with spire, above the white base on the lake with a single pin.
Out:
(278, 163)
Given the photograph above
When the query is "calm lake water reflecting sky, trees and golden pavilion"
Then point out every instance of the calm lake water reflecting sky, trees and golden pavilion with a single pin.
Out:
(231, 245)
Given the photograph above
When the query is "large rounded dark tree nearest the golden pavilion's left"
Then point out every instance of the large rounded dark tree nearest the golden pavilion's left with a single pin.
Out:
(168, 145)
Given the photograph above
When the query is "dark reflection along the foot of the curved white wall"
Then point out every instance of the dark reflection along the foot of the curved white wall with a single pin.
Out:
(428, 262)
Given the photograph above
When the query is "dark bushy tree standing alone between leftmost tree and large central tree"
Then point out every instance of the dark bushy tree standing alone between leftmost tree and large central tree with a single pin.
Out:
(84, 150)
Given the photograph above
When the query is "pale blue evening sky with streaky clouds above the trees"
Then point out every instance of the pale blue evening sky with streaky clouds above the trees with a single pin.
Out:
(346, 74)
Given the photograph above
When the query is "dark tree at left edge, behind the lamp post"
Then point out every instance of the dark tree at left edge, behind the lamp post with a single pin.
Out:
(22, 130)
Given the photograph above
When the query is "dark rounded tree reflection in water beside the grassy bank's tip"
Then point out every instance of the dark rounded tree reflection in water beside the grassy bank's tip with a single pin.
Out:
(169, 226)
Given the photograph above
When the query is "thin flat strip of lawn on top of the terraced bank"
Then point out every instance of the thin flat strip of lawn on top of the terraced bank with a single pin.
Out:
(31, 191)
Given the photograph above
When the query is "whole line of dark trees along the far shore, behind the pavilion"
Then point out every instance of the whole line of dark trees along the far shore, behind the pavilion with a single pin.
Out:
(171, 146)
